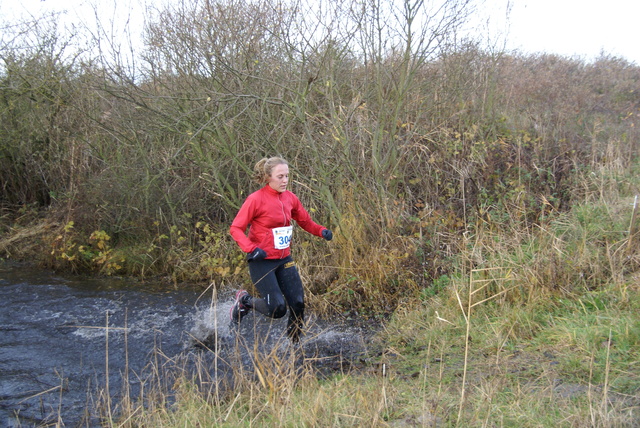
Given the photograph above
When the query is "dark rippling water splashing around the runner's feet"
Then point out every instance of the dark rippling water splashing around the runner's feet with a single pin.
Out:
(60, 336)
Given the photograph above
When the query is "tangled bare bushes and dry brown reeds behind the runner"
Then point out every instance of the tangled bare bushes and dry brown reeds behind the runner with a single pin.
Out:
(402, 141)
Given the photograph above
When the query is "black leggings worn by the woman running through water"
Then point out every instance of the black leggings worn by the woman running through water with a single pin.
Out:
(279, 284)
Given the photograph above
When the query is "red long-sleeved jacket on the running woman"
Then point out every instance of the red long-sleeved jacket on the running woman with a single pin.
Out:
(264, 210)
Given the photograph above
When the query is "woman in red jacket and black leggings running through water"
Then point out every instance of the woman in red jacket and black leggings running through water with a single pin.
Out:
(268, 213)
